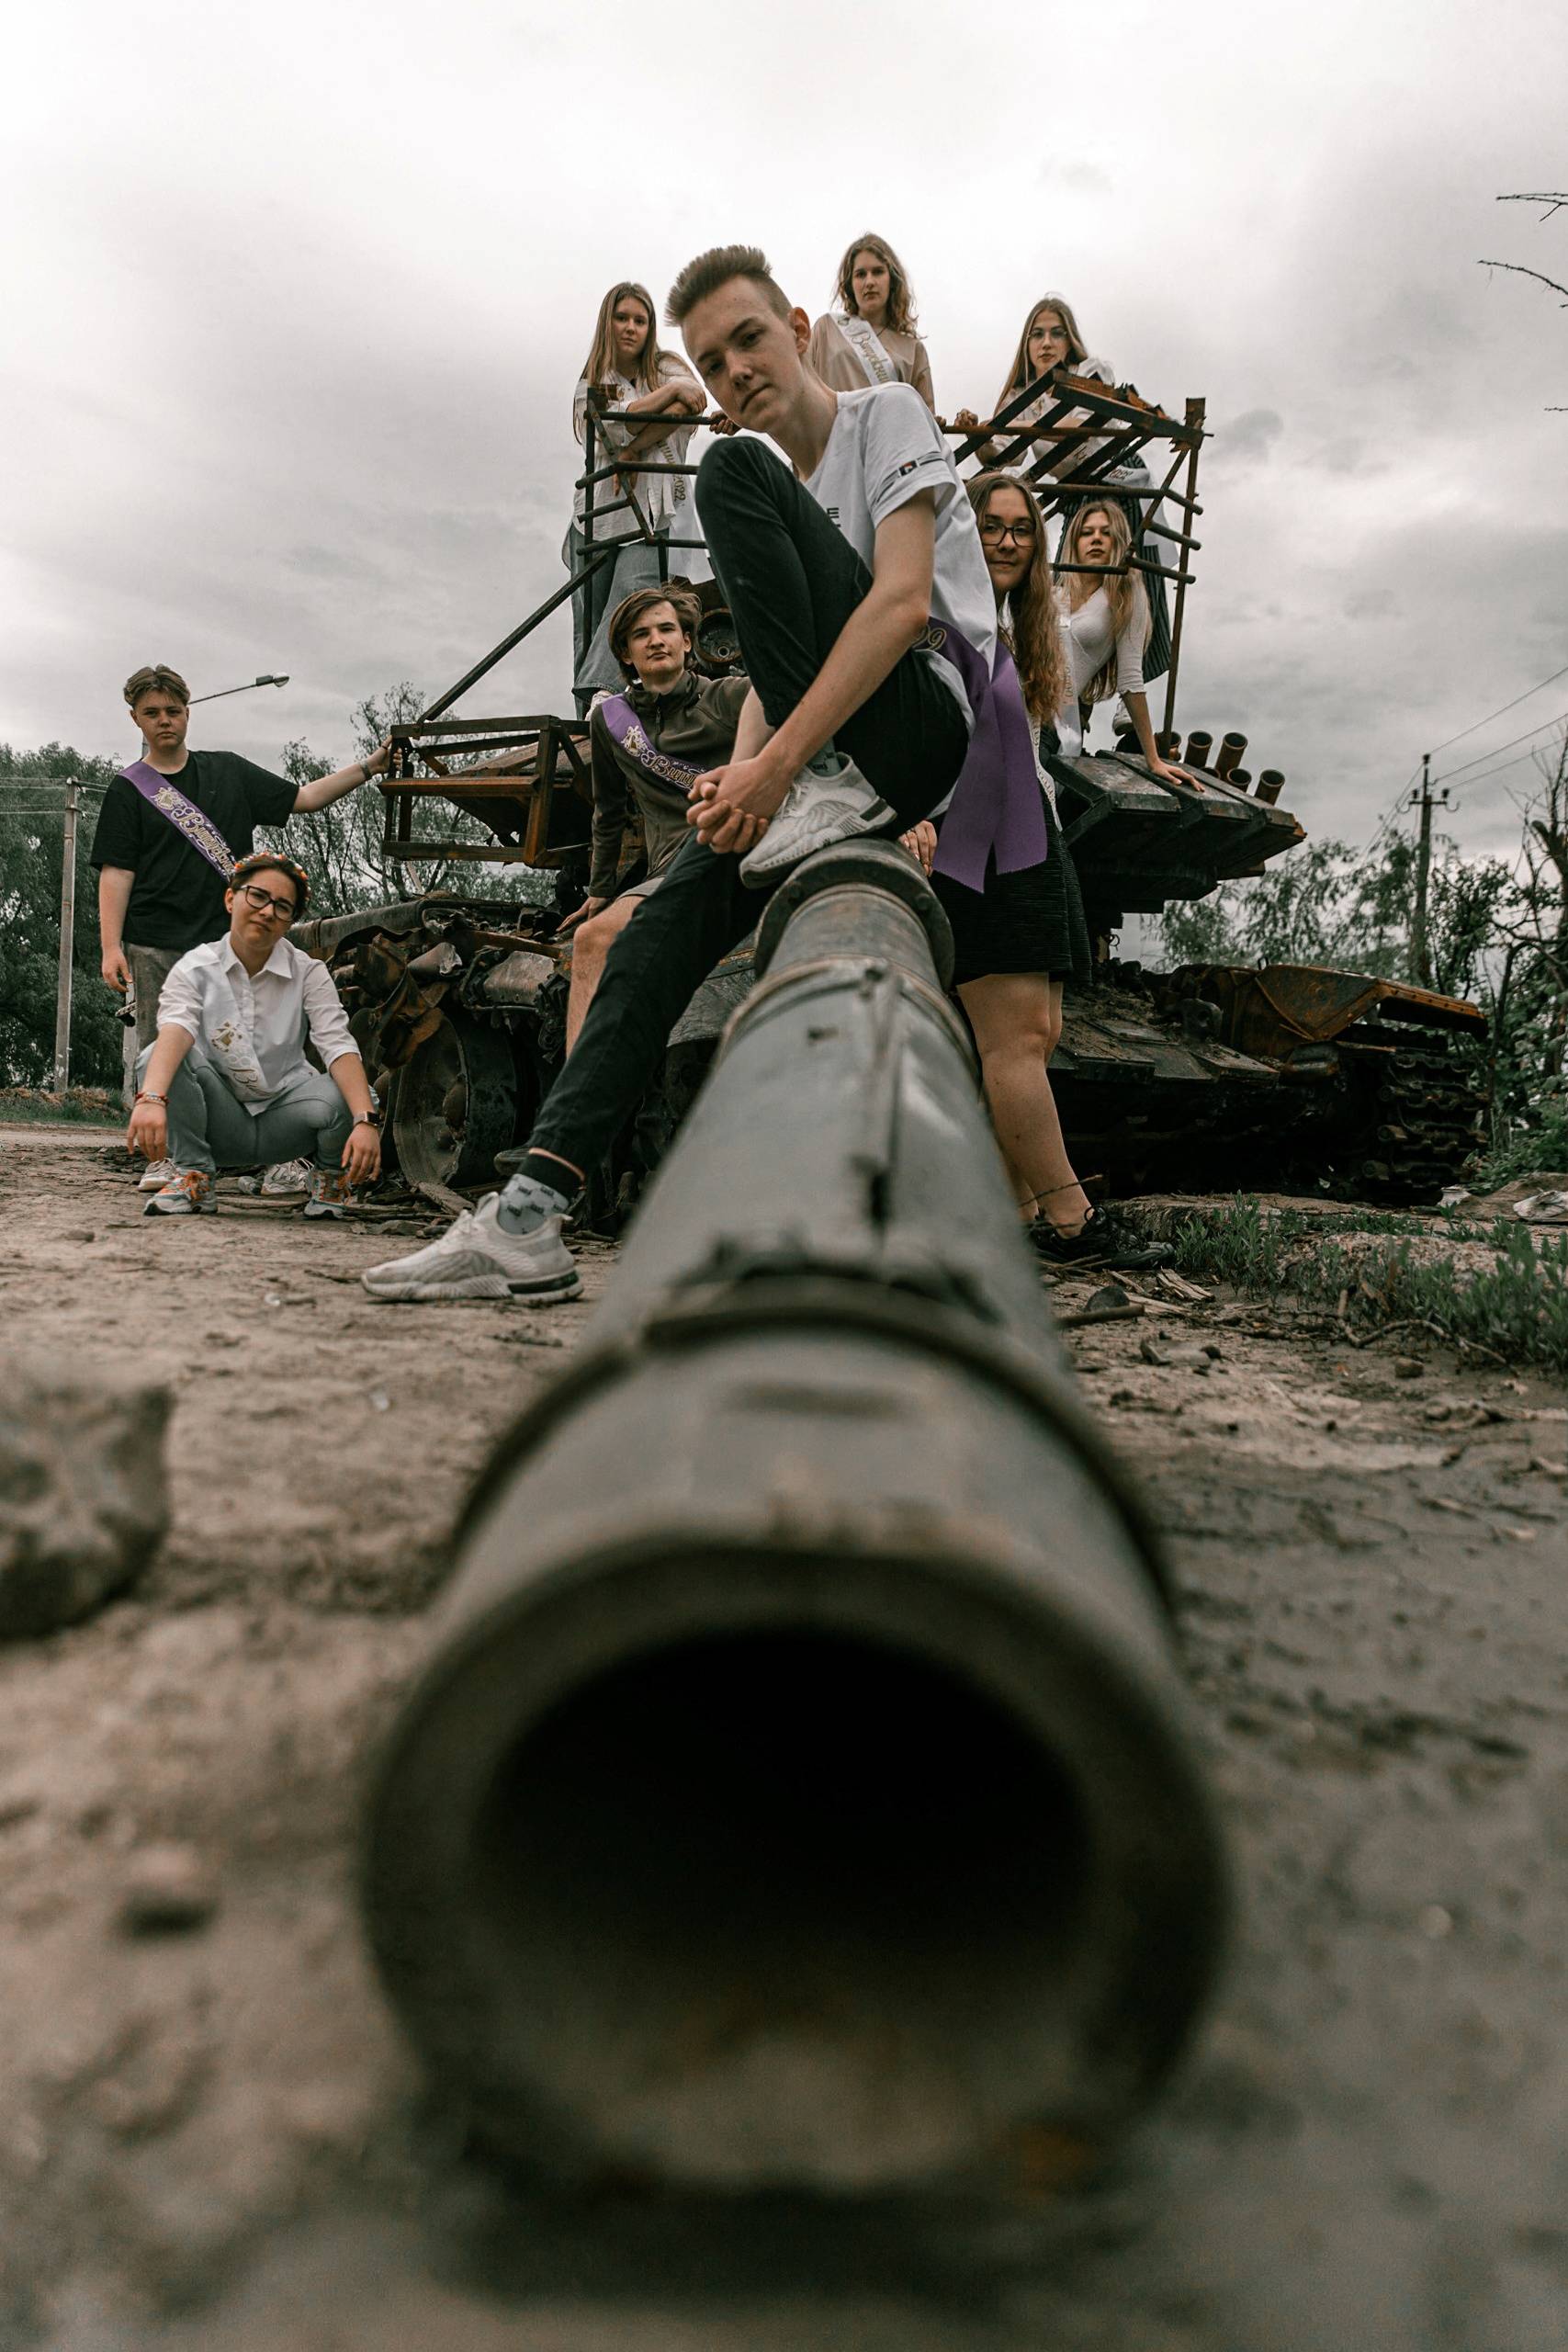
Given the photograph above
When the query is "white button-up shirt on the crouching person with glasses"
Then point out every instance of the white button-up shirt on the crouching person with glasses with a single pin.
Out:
(255, 1029)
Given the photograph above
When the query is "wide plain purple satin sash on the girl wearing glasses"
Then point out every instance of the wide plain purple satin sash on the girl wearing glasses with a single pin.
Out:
(998, 806)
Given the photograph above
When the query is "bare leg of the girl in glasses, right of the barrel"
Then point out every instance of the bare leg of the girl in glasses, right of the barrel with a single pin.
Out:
(1017, 1020)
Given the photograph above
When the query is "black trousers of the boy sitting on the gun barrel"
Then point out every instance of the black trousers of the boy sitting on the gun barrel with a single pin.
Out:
(791, 582)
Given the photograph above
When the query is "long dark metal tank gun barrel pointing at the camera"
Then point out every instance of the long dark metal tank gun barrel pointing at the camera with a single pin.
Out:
(800, 1784)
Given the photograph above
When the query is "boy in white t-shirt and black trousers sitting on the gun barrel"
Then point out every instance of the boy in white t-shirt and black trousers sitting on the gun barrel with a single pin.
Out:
(869, 629)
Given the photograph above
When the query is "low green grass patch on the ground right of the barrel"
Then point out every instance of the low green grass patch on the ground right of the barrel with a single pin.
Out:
(1515, 1309)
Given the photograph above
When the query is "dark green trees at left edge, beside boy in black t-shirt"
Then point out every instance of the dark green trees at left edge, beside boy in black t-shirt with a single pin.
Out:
(32, 841)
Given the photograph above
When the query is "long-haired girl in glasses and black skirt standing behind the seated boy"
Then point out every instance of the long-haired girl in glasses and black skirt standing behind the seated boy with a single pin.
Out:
(1024, 935)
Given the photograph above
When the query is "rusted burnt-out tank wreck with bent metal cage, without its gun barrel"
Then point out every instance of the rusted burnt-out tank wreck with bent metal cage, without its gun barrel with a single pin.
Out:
(1282, 1076)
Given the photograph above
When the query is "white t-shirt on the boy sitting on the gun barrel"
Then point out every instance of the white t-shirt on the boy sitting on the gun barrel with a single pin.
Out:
(885, 448)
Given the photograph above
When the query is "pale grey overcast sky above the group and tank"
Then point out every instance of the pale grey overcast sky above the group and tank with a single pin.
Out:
(297, 295)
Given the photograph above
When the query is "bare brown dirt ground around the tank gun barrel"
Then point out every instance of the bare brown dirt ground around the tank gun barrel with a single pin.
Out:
(215, 2139)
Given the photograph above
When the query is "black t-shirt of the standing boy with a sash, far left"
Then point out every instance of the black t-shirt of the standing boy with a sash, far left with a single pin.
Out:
(177, 900)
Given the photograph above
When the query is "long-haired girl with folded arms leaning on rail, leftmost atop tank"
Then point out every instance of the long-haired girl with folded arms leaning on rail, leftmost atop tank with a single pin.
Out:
(626, 370)
